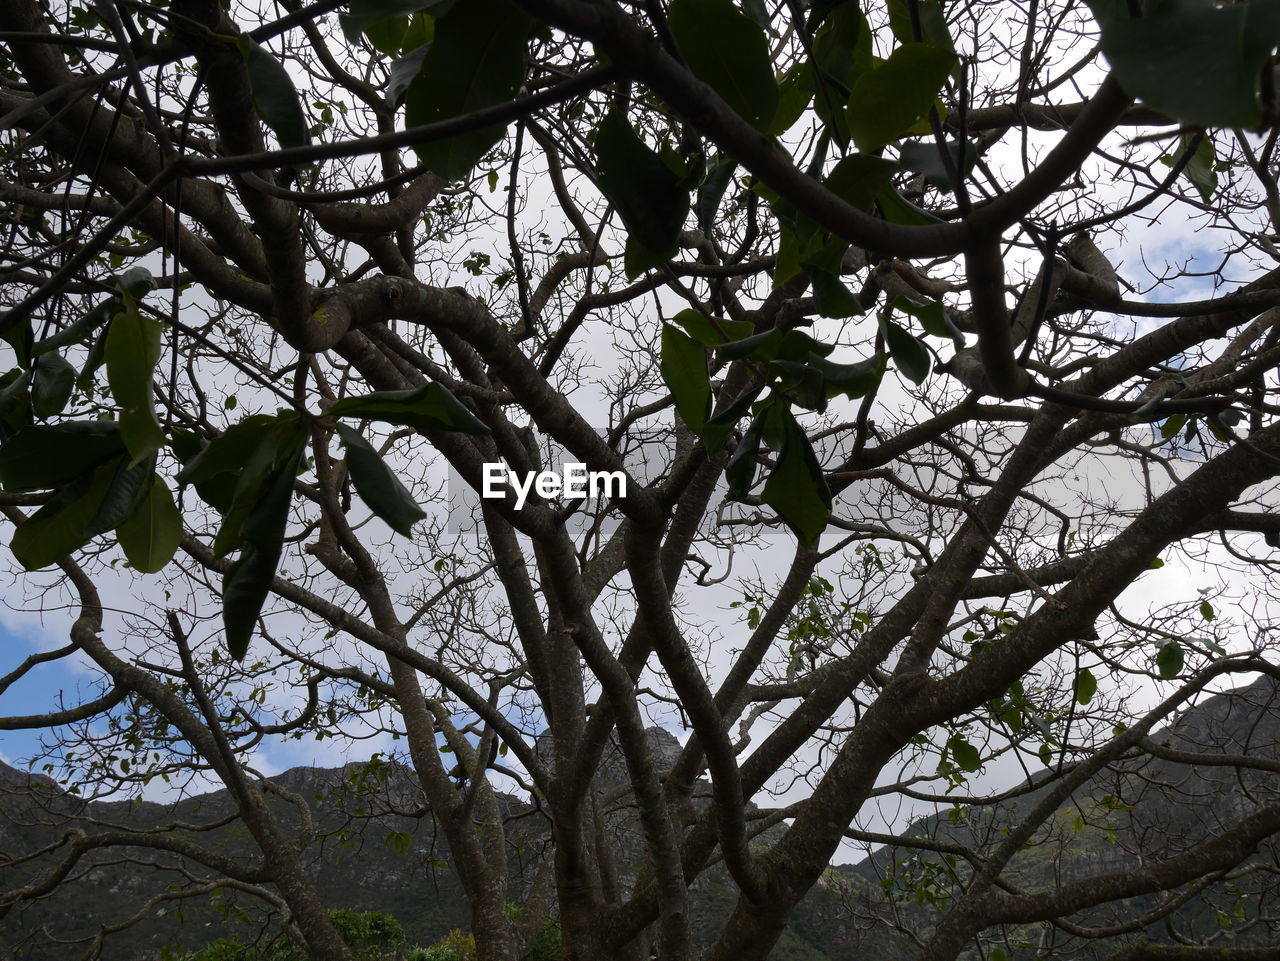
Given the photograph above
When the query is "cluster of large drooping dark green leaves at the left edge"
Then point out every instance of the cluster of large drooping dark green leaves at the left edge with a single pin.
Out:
(103, 472)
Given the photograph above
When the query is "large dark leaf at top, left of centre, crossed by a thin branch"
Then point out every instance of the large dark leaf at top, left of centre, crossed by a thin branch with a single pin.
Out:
(479, 58)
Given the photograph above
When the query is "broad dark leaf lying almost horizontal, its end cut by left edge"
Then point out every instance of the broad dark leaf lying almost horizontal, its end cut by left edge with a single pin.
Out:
(43, 457)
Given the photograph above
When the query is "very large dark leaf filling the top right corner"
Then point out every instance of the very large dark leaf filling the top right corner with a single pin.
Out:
(1199, 62)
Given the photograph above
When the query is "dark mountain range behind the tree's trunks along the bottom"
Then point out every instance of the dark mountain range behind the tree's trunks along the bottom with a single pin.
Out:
(378, 850)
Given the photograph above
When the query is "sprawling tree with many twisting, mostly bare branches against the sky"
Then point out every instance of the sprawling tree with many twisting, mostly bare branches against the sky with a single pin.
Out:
(268, 269)
